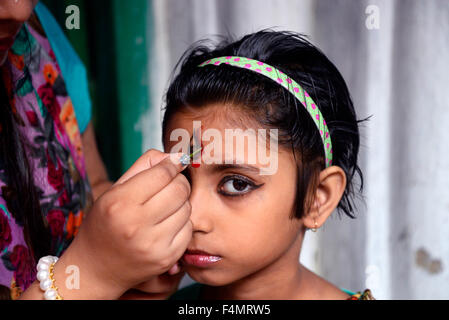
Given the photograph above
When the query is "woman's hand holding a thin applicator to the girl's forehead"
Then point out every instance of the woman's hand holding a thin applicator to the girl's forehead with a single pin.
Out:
(136, 230)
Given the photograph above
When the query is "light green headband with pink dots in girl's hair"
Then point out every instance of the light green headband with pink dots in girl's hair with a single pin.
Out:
(289, 84)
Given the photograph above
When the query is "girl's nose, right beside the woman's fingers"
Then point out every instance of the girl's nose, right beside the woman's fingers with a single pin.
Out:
(202, 206)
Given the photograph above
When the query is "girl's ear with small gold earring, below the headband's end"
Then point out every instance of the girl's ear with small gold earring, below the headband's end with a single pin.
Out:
(332, 184)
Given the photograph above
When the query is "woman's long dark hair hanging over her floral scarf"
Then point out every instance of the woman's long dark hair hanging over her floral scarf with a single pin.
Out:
(23, 198)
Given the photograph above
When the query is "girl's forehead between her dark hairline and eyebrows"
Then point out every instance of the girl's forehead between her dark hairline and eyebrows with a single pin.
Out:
(226, 135)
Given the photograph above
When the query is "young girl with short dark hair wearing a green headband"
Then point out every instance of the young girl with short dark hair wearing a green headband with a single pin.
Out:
(248, 223)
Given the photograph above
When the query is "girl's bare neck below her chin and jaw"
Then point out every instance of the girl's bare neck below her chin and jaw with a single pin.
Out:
(283, 279)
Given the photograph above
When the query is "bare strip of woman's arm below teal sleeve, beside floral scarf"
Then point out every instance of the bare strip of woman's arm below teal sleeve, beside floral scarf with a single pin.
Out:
(96, 170)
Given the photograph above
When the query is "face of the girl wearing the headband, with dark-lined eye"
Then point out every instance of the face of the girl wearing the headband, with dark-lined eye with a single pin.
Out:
(237, 214)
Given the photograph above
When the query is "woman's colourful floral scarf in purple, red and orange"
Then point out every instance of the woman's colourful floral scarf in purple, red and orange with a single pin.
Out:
(45, 116)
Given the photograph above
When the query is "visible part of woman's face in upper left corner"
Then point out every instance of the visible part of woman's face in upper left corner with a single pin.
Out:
(13, 13)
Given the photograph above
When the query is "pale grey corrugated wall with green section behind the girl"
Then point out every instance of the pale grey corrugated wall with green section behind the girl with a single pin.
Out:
(397, 71)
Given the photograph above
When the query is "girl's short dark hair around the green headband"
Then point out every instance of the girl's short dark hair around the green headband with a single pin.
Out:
(273, 106)
